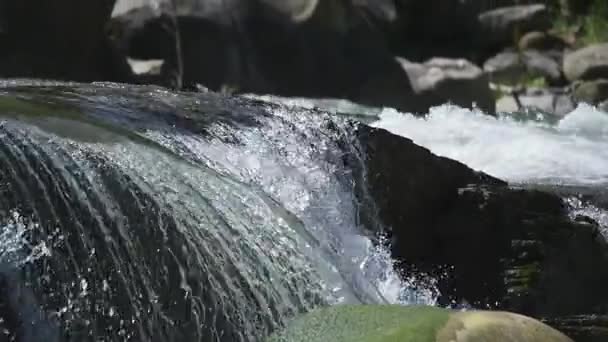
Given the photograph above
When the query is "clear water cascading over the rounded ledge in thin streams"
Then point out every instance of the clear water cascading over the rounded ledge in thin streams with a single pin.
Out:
(134, 213)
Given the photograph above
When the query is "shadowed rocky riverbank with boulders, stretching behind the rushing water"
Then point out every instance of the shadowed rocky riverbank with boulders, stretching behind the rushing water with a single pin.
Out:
(407, 54)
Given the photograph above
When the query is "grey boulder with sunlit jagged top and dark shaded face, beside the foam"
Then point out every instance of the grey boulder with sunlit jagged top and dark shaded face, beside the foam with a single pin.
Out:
(458, 81)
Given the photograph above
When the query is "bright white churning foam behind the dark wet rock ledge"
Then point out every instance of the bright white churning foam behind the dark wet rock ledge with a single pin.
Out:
(573, 151)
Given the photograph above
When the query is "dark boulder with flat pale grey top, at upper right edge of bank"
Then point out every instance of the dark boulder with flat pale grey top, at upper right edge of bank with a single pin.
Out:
(503, 26)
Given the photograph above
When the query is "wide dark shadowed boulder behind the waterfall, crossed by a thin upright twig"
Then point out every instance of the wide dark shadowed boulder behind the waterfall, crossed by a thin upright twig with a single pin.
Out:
(333, 54)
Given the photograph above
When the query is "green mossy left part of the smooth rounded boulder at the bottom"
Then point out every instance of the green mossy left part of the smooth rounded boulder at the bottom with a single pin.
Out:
(366, 323)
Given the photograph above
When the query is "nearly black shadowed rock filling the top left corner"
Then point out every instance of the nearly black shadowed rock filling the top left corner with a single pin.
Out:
(61, 39)
